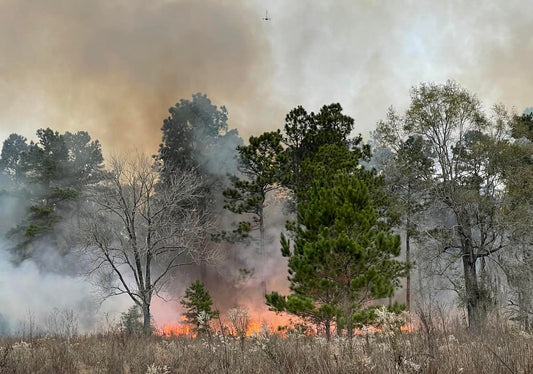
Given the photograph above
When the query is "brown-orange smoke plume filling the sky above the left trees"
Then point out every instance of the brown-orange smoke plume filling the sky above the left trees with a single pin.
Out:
(113, 68)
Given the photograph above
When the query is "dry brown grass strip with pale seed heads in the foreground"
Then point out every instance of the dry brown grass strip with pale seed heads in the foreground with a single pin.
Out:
(498, 349)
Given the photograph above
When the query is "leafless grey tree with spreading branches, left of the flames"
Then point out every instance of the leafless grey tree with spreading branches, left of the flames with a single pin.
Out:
(139, 231)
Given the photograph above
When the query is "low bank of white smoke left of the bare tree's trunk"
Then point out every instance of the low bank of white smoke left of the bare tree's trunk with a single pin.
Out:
(32, 295)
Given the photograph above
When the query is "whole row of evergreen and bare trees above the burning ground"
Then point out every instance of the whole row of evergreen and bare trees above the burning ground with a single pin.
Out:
(452, 179)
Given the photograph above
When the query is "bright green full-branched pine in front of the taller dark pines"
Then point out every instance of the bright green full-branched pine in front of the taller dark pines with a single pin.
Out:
(341, 256)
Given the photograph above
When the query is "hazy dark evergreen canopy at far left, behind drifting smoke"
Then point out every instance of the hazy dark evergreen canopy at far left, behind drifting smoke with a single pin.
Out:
(53, 172)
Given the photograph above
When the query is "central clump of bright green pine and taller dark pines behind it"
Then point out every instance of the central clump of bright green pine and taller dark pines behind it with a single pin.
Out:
(340, 249)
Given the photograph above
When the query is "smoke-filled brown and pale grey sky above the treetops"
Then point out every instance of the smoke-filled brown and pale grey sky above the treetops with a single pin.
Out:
(114, 67)
